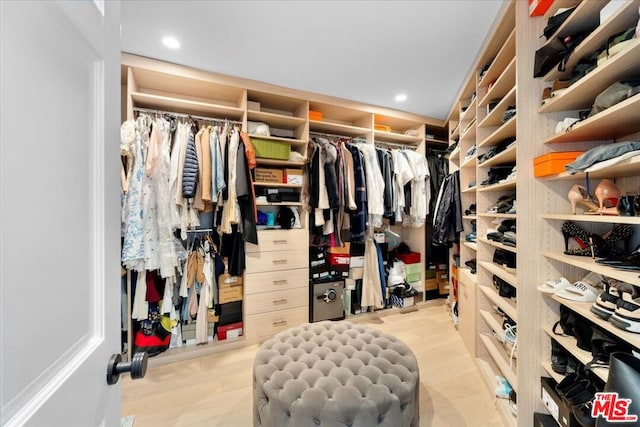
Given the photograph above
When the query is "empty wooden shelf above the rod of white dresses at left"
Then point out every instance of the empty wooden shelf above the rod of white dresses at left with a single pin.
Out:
(186, 106)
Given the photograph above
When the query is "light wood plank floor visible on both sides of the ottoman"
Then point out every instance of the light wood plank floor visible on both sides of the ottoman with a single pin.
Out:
(216, 390)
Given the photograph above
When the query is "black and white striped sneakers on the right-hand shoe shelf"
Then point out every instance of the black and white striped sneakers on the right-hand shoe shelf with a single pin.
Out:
(619, 303)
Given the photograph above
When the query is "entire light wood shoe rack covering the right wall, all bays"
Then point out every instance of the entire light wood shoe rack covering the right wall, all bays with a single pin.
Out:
(542, 203)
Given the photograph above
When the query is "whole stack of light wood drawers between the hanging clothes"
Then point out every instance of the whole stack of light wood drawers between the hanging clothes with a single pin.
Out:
(276, 282)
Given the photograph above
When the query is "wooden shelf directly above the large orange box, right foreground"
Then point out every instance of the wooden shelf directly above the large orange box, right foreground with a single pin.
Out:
(616, 121)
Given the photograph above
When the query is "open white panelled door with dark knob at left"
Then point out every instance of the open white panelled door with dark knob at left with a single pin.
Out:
(59, 198)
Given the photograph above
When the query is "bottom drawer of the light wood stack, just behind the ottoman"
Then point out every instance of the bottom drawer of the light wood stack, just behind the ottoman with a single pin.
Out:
(269, 324)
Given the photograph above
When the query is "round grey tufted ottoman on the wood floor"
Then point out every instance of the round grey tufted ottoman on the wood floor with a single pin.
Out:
(335, 374)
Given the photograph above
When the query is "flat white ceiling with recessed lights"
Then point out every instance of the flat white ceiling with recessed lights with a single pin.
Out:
(367, 51)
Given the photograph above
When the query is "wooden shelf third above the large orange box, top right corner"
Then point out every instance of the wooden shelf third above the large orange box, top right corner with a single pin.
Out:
(620, 20)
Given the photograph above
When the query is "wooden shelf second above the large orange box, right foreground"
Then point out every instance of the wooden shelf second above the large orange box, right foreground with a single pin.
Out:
(581, 94)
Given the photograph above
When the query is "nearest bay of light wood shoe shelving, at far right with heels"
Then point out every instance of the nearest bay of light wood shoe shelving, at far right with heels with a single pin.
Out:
(616, 124)
